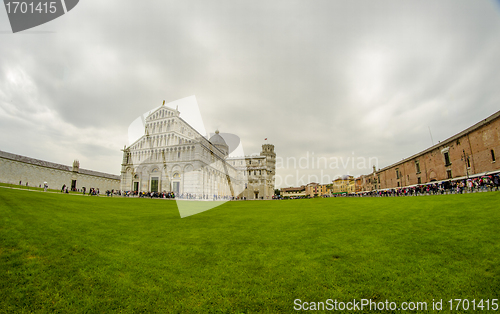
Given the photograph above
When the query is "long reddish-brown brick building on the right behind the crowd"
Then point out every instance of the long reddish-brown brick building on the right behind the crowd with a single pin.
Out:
(472, 152)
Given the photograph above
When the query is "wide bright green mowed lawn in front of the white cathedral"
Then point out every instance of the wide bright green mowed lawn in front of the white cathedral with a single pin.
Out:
(70, 253)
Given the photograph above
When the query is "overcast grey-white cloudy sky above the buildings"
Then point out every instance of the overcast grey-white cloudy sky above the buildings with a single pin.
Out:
(333, 78)
